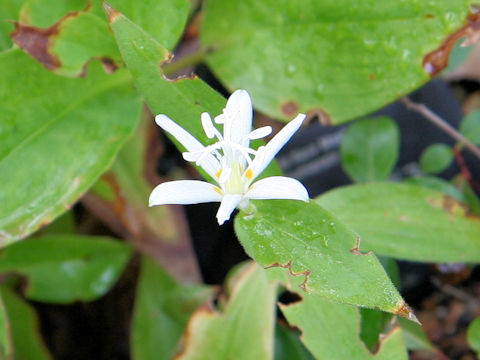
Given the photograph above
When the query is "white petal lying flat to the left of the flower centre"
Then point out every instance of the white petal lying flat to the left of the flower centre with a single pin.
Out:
(184, 192)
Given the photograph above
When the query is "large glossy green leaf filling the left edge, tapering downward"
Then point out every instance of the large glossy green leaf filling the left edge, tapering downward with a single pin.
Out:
(57, 136)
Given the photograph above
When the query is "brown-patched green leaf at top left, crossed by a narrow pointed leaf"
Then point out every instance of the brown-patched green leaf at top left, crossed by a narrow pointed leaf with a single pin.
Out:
(68, 37)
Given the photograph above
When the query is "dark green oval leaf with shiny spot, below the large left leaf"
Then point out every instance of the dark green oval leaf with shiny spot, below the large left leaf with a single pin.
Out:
(66, 268)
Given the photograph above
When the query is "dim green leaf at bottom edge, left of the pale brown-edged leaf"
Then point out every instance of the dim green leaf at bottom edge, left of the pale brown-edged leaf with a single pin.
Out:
(162, 310)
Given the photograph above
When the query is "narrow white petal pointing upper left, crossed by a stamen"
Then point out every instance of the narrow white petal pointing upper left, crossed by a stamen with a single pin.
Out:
(210, 164)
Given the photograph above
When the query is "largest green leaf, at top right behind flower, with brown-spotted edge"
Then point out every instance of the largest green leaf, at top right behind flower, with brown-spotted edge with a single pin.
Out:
(336, 58)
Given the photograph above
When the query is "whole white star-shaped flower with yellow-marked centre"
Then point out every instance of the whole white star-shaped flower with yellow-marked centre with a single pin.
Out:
(229, 161)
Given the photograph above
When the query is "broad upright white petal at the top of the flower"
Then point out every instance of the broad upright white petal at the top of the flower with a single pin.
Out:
(239, 113)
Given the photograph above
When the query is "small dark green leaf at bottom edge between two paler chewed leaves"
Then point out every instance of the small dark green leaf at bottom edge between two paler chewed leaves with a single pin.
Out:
(288, 345)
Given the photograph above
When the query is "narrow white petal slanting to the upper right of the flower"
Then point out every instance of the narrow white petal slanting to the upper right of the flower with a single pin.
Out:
(266, 153)
